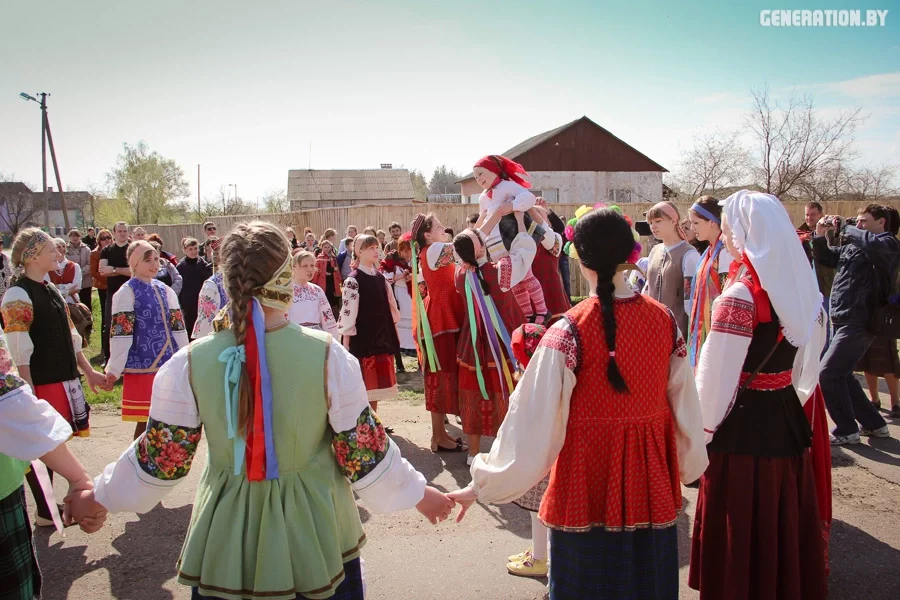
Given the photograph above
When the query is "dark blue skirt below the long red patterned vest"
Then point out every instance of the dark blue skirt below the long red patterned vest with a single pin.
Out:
(618, 565)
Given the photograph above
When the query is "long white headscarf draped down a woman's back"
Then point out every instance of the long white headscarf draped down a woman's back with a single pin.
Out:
(761, 229)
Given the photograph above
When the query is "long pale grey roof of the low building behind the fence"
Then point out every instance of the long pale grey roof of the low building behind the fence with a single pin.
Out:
(357, 185)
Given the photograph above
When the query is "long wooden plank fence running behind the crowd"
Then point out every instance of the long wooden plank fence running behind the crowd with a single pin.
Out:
(450, 215)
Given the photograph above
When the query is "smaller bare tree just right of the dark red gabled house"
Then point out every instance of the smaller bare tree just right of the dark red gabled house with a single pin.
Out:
(715, 161)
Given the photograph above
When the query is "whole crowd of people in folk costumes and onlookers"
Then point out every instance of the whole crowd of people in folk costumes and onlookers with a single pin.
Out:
(708, 362)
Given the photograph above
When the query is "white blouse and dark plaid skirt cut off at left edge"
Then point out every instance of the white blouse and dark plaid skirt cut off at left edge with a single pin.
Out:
(29, 429)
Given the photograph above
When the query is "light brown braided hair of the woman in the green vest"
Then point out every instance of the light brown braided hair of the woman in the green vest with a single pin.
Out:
(251, 254)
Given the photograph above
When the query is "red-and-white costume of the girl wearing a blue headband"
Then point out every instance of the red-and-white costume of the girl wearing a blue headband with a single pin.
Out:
(712, 271)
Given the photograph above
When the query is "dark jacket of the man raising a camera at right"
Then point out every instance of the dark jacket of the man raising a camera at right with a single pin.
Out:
(862, 256)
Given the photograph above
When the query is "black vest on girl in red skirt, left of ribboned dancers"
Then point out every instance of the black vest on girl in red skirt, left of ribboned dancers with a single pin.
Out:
(375, 330)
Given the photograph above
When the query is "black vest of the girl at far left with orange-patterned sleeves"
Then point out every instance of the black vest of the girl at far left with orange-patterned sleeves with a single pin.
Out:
(53, 359)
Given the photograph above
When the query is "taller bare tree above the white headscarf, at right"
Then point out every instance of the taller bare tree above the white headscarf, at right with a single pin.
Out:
(795, 141)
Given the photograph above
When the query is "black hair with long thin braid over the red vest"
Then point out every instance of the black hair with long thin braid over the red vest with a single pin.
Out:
(603, 240)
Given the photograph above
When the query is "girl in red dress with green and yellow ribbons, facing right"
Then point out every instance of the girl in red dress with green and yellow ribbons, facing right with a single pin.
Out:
(437, 322)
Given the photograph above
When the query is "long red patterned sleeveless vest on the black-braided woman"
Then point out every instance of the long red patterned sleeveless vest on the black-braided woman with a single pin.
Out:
(618, 467)
